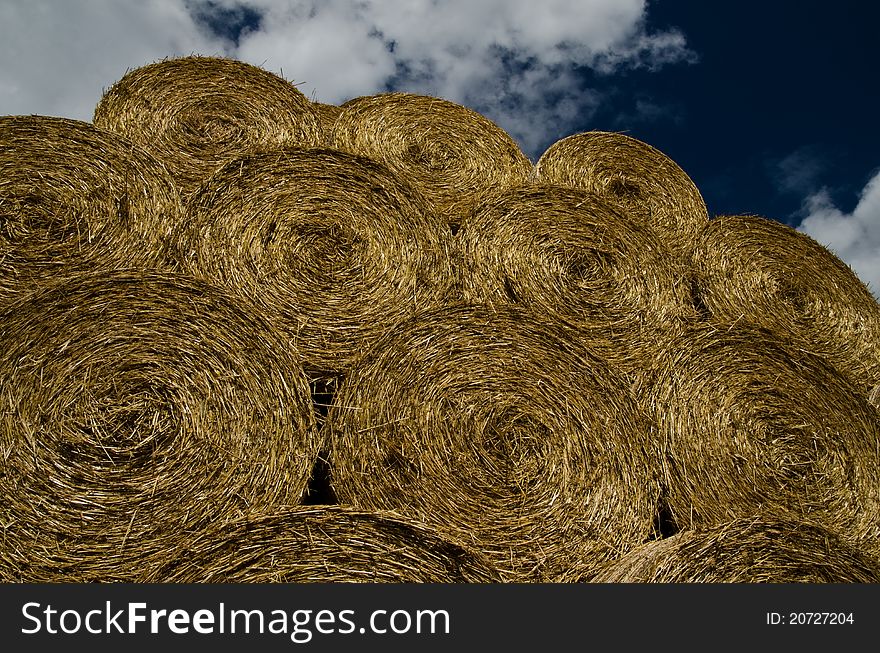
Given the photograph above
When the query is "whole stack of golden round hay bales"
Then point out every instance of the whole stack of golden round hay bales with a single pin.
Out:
(560, 372)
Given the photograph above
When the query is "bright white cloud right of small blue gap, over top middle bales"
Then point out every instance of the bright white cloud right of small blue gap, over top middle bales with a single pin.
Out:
(513, 60)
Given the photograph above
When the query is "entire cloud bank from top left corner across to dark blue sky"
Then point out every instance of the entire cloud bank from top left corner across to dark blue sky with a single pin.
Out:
(514, 60)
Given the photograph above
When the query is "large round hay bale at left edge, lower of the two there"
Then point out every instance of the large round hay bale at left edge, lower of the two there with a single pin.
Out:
(136, 411)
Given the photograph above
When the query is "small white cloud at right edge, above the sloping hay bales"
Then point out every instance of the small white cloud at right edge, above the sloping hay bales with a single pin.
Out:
(854, 237)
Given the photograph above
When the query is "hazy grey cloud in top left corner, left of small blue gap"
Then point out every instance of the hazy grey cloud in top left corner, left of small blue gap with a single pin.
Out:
(58, 57)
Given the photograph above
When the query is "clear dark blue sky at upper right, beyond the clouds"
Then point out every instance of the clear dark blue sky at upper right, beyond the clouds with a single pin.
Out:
(783, 100)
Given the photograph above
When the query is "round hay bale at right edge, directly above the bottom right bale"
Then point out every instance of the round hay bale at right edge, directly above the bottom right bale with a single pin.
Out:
(749, 421)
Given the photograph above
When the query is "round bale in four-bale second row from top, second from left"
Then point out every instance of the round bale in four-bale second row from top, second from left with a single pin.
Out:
(335, 245)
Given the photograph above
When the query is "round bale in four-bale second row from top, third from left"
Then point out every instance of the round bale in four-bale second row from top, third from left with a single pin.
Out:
(567, 254)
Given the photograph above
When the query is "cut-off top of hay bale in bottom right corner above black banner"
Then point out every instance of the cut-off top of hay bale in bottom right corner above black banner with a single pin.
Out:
(747, 550)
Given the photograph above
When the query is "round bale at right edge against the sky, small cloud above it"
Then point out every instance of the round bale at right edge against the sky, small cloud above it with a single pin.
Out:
(751, 268)
